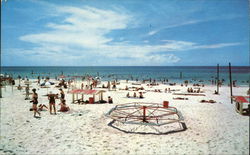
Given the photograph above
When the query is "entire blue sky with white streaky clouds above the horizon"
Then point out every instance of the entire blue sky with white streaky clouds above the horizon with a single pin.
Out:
(124, 32)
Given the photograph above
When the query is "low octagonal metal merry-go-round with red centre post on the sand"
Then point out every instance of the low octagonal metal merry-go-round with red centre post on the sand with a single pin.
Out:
(151, 115)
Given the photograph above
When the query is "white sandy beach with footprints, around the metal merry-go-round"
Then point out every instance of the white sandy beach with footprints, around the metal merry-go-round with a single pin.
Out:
(211, 128)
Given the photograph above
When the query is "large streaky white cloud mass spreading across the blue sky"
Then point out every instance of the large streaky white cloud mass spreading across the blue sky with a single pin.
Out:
(82, 36)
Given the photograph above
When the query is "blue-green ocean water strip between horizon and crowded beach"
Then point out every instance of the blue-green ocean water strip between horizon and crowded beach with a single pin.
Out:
(172, 73)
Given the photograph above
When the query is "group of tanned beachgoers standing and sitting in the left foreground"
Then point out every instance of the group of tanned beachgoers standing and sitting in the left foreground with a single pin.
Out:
(52, 100)
